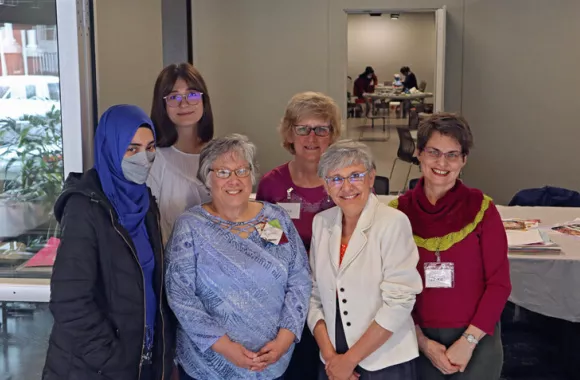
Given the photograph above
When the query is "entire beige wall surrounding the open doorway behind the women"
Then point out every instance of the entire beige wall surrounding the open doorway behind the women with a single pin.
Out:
(514, 76)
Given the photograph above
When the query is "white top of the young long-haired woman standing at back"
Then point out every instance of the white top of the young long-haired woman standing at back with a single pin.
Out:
(174, 184)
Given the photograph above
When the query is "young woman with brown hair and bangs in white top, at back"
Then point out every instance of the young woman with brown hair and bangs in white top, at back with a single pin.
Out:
(183, 121)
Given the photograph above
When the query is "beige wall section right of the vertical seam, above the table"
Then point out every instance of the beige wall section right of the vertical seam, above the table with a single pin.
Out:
(520, 94)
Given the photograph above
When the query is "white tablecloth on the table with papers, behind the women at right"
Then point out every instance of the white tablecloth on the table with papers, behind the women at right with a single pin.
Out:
(548, 284)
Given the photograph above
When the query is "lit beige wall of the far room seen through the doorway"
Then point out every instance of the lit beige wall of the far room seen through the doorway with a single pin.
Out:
(387, 45)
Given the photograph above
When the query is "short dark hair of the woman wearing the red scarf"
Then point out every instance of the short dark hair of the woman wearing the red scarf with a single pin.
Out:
(448, 124)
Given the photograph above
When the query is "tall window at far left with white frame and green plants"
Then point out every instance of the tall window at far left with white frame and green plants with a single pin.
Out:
(34, 155)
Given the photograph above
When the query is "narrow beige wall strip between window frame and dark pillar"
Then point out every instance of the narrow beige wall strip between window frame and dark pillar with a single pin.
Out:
(128, 51)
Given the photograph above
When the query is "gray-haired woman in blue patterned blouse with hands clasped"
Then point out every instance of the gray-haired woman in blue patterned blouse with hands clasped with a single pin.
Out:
(237, 278)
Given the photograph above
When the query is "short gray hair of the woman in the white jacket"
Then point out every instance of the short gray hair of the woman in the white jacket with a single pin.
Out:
(345, 153)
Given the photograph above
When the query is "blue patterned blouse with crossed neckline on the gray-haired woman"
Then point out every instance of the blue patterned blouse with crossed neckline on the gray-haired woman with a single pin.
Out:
(220, 283)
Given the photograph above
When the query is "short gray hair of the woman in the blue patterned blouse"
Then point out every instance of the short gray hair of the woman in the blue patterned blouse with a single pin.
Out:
(234, 143)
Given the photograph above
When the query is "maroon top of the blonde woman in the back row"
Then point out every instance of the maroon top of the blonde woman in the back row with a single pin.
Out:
(273, 188)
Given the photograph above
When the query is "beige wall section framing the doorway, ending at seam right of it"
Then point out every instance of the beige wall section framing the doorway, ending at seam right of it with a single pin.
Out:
(256, 54)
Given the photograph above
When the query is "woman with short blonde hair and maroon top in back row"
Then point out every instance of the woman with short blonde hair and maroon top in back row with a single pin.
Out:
(310, 124)
